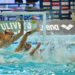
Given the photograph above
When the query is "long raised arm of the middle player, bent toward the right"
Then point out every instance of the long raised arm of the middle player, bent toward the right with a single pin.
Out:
(22, 42)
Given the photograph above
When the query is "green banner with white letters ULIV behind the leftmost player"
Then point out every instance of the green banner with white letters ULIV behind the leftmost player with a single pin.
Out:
(14, 25)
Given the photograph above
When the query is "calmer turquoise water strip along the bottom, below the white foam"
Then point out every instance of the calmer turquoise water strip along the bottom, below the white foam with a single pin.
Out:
(32, 68)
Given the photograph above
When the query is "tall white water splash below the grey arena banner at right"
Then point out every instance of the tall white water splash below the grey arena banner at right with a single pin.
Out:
(60, 50)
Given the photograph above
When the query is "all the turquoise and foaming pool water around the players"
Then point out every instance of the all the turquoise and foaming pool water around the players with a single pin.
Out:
(56, 58)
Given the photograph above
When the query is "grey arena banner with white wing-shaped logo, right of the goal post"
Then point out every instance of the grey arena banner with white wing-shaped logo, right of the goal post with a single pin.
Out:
(60, 27)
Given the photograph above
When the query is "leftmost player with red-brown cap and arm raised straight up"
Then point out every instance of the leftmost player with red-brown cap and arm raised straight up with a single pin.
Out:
(8, 36)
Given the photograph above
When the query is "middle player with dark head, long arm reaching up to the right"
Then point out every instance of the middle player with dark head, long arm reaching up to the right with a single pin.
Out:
(23, 45)
